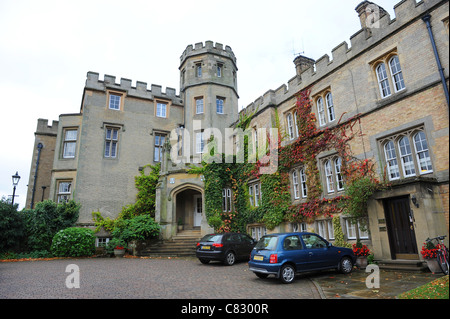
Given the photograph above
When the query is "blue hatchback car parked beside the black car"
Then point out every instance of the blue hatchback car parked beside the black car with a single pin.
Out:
(286, 254)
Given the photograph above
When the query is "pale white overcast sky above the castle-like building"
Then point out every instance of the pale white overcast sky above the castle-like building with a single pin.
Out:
(47, 47)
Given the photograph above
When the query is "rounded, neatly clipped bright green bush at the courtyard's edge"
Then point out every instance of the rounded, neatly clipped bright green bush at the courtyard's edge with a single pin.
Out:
(73, 242)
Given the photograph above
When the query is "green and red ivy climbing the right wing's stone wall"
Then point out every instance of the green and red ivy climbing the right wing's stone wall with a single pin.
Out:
(276, 204)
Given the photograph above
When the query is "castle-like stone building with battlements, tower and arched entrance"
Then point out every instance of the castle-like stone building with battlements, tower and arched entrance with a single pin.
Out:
(388, 76)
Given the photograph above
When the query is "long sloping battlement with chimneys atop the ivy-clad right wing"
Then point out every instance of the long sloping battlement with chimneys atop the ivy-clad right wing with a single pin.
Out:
(376, 24)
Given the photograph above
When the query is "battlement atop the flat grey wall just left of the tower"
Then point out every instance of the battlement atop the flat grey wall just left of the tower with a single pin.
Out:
(139, 91)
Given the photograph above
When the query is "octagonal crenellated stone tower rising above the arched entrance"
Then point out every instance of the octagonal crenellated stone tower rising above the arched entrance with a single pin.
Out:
(208, 85)
